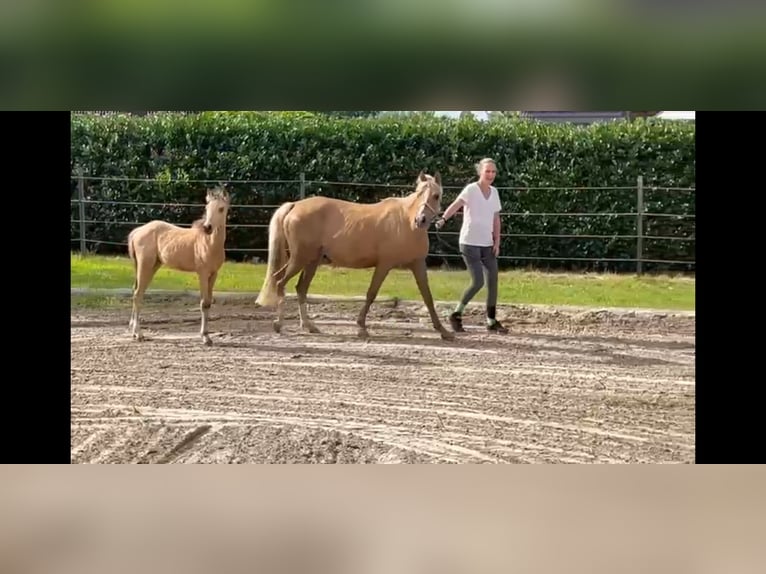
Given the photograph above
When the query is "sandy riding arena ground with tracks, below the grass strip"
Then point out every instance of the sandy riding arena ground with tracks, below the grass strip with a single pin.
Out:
(562, 386)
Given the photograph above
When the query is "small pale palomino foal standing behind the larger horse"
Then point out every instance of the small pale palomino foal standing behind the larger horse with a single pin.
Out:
(199, 249)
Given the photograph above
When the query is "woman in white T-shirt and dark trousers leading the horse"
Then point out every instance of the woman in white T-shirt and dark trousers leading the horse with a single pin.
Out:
(479, 241)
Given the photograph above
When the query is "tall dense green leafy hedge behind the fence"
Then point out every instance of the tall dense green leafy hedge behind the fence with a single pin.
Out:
(220, 146)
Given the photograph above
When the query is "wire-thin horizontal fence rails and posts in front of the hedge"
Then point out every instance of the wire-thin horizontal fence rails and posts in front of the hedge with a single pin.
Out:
(640, 214)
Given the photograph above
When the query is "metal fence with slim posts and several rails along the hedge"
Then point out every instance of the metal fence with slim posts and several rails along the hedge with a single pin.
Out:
(301, 187)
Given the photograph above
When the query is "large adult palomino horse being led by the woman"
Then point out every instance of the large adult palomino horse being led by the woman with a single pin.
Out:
(385, 235)
